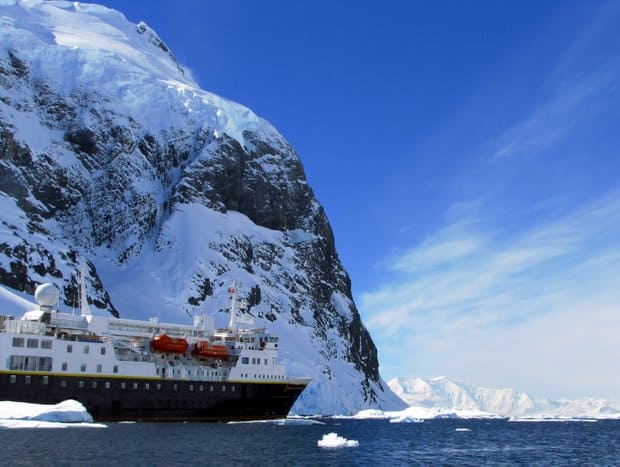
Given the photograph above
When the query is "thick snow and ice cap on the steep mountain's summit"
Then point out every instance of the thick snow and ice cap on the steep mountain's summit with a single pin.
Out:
(83, 46)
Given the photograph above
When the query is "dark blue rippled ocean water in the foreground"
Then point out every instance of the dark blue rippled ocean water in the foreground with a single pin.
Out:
(435, 442)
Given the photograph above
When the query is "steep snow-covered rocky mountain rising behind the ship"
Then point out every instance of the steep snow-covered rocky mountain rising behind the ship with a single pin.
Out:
(113, 159)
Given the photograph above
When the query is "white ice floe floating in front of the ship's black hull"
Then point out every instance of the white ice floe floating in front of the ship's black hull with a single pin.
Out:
(65, 414)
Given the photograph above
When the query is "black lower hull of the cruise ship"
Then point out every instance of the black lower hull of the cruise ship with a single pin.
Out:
(118, 398)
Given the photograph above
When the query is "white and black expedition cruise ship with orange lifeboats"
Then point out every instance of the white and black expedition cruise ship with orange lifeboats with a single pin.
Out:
(123, 369)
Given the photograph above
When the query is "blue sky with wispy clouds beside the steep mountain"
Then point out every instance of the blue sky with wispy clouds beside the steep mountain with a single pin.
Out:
(467, 155)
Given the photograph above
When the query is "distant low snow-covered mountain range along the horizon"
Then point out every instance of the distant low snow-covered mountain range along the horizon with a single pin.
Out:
(446, 394)
